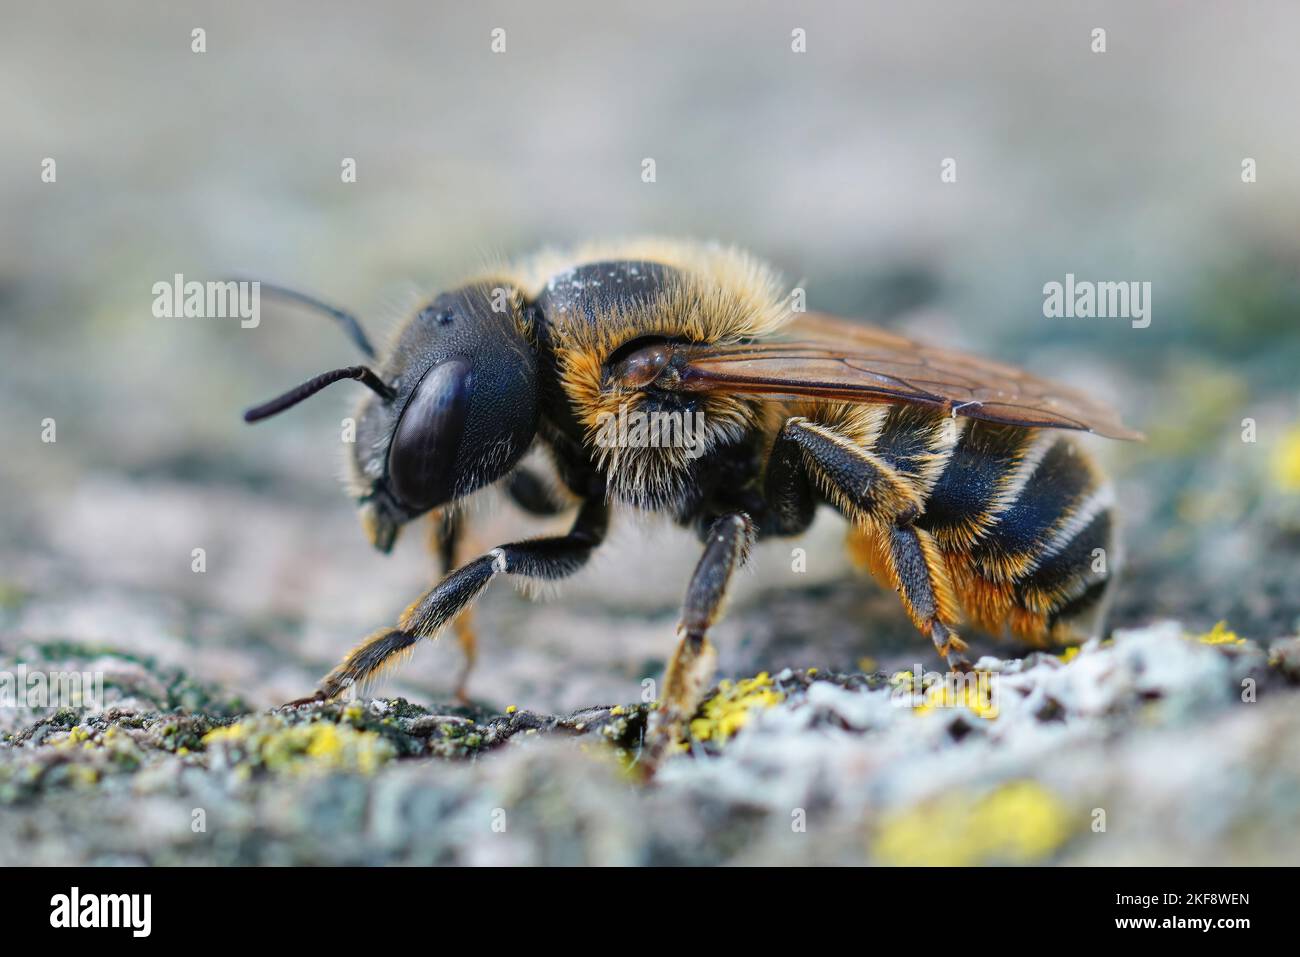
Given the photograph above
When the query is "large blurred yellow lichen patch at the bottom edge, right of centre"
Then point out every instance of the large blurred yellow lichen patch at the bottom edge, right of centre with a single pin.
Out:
(1020, 822)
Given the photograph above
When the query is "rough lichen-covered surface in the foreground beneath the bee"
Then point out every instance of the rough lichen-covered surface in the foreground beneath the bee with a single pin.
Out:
(1156, 748)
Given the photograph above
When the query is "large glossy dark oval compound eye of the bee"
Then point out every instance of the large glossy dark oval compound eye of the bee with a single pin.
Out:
(423, 456)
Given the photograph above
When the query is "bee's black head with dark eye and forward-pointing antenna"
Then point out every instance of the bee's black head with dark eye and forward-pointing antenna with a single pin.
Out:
(454, 408)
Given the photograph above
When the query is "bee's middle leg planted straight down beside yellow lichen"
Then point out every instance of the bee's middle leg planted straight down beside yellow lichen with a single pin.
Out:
(694, 664)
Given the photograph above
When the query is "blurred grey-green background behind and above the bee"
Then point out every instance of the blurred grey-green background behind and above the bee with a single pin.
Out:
(1124, 166)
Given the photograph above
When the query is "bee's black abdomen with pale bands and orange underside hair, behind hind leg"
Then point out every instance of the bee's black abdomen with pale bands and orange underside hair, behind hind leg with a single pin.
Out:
(1025, 522)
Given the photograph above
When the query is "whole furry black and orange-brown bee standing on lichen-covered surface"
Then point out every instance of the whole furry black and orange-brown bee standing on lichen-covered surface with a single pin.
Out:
(963, 490)
